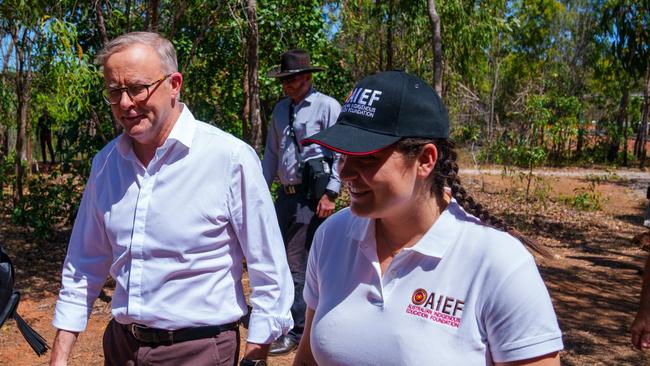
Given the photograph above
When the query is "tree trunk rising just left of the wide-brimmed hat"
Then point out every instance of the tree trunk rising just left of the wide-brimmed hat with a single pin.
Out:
(252, 87)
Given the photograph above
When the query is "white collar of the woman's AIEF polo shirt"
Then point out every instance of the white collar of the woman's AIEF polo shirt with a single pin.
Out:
(441, 235)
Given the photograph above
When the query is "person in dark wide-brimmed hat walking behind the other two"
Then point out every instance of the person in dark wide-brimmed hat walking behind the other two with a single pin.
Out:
(309, 182)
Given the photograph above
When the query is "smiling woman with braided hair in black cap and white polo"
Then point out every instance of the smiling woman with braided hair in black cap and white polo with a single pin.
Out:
(405, 276)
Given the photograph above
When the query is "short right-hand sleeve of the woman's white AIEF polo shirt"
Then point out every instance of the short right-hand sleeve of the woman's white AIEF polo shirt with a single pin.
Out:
(519, 318)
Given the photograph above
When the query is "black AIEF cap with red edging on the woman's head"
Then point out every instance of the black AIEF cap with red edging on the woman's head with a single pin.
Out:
(382, 109)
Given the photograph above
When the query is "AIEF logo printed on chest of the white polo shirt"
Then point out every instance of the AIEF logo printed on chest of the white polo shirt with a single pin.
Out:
(438, 308)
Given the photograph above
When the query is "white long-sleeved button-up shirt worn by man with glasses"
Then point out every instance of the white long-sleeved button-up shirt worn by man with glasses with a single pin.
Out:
(173, 236)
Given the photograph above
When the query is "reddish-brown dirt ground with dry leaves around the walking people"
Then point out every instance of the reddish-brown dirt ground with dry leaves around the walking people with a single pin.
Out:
(594, 276)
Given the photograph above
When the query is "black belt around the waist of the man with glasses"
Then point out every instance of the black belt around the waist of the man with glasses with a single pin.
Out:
(156, 336)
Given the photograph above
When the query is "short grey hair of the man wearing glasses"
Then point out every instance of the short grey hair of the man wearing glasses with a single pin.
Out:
(161, 45)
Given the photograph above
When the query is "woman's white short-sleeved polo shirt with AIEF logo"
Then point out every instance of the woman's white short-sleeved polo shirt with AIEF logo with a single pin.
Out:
(465, 294)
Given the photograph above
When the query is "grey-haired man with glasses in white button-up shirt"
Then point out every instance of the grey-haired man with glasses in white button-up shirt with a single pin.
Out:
(171, 208)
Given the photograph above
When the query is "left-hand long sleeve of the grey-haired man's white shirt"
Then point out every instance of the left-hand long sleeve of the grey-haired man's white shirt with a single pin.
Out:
(86, 265)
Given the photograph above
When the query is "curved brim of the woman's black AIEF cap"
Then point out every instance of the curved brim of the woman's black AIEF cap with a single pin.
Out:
(351, 140)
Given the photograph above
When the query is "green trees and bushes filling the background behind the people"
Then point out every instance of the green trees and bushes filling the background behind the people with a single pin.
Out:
(527, 82)
